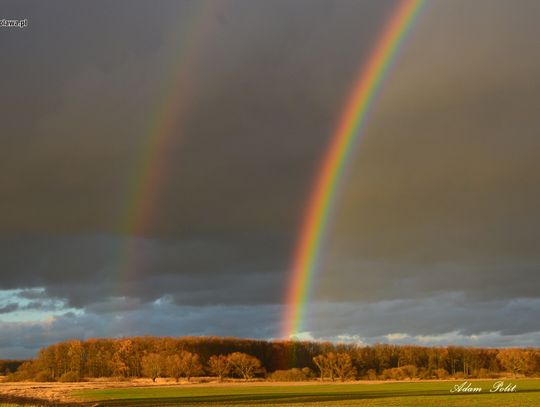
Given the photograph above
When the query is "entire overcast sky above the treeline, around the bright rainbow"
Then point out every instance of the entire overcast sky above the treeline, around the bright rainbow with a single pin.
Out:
(436, 233)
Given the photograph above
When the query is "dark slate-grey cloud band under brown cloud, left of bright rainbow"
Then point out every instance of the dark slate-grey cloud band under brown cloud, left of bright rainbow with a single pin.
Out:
(86, 270)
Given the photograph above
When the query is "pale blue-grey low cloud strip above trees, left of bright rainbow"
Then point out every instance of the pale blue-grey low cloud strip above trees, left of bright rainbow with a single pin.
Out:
(23, 339)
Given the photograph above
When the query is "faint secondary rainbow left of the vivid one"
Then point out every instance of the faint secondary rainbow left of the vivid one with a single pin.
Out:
(164, 132)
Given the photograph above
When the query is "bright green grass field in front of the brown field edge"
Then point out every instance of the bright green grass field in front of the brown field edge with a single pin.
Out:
(416, 394)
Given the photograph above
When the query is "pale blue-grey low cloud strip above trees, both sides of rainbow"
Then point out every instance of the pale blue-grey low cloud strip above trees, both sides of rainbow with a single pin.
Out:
(450, 320)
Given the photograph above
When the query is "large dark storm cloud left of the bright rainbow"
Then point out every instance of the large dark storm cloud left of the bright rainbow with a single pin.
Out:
(263, 95)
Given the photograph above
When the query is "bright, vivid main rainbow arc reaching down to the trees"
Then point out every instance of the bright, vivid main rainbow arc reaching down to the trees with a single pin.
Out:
(348, 132)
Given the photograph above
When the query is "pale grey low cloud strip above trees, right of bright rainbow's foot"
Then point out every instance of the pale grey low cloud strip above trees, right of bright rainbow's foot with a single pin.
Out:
(436, 315)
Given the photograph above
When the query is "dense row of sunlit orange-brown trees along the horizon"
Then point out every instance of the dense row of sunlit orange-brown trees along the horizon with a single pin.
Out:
(189, 357)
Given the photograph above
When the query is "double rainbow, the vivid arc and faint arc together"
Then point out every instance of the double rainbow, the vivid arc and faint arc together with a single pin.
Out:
(149, 178)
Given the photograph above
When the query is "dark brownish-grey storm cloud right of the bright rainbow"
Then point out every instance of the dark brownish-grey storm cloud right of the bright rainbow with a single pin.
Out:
(443, 195)
